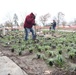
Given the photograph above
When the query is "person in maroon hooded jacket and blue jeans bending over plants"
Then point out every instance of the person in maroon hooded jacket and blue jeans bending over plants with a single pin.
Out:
(28, 24)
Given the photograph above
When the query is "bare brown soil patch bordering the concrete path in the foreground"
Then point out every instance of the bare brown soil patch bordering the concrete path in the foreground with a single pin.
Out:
(28, 62)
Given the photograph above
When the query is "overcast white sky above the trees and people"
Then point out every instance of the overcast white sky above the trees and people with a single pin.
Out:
(39, 7)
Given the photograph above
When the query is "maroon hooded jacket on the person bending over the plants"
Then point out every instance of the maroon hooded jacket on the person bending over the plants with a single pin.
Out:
(29, 21)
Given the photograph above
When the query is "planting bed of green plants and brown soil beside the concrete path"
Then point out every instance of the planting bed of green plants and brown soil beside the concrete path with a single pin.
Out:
(53, 53)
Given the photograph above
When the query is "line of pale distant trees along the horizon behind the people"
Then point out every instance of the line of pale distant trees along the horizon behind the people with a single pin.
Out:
(43, 19)
